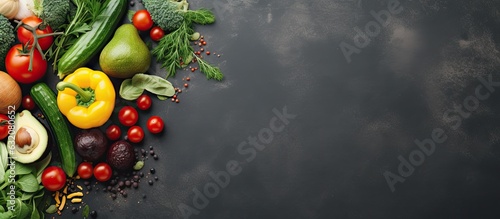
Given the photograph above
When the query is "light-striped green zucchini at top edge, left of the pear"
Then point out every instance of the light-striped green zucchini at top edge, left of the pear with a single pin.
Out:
(90, 43)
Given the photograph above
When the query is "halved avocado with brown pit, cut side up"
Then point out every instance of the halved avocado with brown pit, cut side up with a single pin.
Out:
(30, 138)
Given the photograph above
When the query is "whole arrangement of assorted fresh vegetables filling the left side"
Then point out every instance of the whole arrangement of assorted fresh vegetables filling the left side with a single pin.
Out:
(74, 116)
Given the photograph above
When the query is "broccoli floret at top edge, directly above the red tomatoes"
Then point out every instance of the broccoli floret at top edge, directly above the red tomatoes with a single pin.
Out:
(52, 12)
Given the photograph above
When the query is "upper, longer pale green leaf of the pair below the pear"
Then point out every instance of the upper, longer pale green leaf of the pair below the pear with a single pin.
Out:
(153, 84)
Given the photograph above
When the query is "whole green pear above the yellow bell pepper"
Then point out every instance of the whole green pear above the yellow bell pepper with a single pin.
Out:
(126, 54)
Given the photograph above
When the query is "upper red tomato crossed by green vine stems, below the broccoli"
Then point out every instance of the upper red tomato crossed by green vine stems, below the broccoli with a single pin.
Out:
(26, 36)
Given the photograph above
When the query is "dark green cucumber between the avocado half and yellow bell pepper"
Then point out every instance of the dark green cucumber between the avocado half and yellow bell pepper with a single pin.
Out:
(45, 99)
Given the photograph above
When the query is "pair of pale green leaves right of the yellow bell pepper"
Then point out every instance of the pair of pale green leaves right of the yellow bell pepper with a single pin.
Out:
(132, 88)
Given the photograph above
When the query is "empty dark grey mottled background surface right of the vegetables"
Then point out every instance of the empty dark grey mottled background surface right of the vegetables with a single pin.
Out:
(353, 119)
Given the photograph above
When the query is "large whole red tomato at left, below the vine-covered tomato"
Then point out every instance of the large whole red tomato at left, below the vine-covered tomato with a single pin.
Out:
(17, 65)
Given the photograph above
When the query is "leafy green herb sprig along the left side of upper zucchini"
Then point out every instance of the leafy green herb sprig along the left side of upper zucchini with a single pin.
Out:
(80, 22)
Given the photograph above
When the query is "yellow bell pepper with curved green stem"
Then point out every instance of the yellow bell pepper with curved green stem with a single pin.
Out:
(86, 97)
